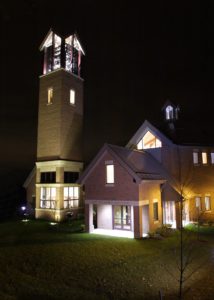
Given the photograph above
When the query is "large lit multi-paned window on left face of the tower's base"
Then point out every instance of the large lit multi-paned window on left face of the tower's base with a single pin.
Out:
(48, 197)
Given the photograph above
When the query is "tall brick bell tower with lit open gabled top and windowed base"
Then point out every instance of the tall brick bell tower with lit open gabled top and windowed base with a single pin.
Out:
(60, 118)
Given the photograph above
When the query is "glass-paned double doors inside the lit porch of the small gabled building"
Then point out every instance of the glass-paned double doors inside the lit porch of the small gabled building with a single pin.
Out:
(122, 217)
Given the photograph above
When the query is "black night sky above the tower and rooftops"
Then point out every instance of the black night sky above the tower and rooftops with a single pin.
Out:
(138, 55)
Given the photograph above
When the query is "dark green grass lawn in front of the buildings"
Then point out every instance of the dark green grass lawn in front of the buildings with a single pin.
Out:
(40, 261)
